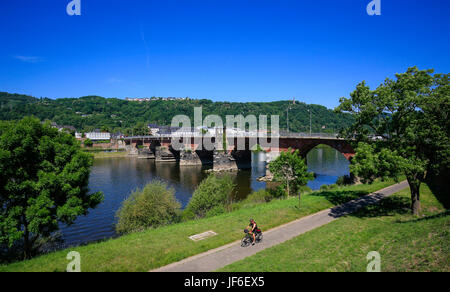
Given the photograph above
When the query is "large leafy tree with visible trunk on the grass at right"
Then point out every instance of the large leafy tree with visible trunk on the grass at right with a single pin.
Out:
(402, 127)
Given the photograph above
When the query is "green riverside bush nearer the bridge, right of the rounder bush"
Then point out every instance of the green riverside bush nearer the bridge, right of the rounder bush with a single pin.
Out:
(212, 192)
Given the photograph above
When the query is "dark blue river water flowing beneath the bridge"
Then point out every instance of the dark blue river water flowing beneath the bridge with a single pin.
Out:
(118, 177)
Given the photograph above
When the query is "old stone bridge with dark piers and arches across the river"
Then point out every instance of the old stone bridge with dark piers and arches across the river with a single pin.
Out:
(238, 148)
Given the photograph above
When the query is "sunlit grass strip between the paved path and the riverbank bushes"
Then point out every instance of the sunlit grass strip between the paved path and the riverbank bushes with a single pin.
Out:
(158, 247)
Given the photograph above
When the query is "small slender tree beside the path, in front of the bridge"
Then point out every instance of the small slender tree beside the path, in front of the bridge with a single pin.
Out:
(290, 169)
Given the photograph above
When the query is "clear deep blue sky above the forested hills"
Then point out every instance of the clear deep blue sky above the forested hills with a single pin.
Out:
(232, 50)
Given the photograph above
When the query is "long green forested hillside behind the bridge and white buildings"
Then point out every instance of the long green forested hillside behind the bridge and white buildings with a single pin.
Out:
(87, 113)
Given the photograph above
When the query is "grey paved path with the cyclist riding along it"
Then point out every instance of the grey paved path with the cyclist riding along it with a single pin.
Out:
(220, 257)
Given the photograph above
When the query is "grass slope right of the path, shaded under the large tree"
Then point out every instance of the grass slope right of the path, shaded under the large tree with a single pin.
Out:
(405, 243)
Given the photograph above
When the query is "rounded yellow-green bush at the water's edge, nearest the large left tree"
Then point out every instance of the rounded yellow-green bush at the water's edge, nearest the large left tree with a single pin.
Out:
(154, 205)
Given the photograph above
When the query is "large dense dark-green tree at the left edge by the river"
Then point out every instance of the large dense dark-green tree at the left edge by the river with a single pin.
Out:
(43, 182)
